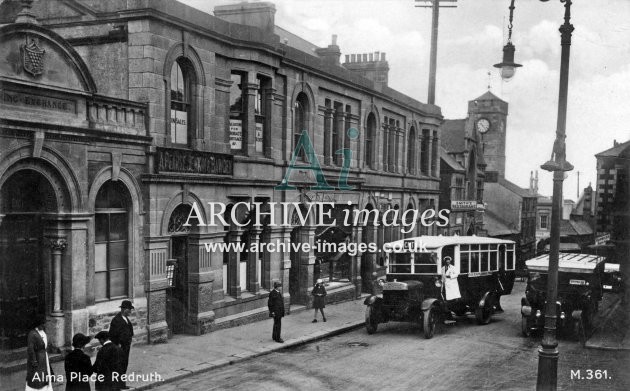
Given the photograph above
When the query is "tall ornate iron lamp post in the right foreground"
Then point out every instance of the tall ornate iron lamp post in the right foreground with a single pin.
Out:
(548, 351)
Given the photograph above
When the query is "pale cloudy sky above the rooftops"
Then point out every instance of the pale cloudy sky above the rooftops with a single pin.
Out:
(471, 38)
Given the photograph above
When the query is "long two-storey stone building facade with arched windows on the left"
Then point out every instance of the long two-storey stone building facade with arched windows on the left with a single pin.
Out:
(121, 119)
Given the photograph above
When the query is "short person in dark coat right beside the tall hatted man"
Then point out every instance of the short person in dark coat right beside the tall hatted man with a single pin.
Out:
(107, 364)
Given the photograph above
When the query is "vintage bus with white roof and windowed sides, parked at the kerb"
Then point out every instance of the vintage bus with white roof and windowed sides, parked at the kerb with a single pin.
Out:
(413, 289)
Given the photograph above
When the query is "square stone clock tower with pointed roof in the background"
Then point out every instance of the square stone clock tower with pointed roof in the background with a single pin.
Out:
(489, 115)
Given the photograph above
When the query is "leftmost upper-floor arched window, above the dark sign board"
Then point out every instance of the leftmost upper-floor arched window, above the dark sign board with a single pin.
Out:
(181, 96)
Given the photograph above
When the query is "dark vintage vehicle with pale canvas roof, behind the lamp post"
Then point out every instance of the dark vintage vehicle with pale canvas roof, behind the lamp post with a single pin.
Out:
(579, 293)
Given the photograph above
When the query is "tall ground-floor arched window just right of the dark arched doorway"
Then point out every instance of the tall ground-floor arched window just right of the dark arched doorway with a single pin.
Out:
(111, 241)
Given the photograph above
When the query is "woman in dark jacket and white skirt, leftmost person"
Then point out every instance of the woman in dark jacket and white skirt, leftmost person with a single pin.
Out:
(39, 373)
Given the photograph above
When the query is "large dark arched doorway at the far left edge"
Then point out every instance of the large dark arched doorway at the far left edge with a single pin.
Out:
(25, 198)
